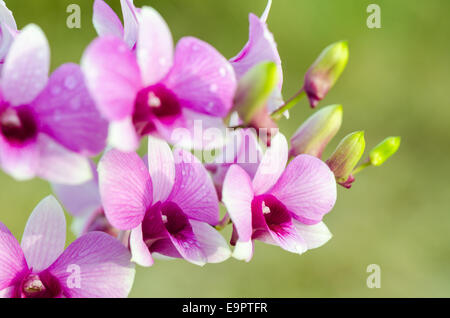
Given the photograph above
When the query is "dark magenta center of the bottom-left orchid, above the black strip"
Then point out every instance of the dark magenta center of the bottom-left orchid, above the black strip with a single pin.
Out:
(43, 285)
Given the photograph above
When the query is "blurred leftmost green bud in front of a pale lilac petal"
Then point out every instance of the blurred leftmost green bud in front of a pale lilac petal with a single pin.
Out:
(254, 90)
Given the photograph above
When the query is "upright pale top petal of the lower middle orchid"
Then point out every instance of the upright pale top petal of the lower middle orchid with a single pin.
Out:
(161, 167)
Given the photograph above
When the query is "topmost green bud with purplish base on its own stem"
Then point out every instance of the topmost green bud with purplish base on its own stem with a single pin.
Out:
(325, 71)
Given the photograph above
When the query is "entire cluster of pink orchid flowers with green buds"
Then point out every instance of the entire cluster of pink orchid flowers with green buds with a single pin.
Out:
(133, 82)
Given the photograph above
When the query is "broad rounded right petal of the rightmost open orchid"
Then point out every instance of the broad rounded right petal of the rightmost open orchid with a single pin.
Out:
(307, 188)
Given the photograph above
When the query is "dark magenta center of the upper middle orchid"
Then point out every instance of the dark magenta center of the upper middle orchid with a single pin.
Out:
(154, 101)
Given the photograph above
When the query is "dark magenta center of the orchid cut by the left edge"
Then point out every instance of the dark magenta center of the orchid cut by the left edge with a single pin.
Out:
(18, 124)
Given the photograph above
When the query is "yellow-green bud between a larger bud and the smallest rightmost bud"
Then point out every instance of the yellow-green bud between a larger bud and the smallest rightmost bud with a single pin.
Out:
(346, 156)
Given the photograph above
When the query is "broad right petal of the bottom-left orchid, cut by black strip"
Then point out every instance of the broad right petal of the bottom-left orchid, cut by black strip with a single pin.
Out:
(99, 263)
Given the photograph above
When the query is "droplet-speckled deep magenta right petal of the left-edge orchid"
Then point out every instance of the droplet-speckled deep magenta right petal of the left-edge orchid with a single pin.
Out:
(69, 115)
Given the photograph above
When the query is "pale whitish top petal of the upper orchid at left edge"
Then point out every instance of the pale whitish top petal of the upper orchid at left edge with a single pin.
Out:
(25, 73)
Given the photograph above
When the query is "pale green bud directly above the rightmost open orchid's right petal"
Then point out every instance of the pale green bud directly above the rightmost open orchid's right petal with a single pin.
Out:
(315, 133)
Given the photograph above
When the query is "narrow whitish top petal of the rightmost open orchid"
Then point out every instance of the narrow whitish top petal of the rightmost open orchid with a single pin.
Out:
(272, 165)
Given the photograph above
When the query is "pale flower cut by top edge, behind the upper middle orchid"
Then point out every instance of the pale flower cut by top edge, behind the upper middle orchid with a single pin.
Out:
(106, 21)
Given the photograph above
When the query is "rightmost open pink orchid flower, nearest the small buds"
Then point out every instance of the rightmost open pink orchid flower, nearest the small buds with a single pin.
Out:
(280, 206)
